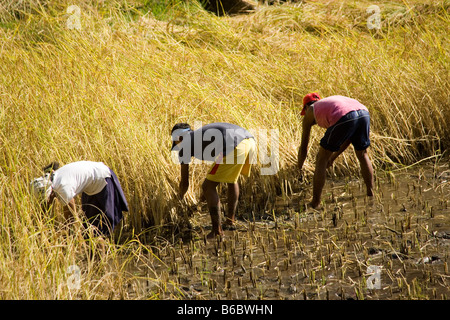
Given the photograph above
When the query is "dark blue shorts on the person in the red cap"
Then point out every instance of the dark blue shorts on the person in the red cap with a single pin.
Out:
(354, 126)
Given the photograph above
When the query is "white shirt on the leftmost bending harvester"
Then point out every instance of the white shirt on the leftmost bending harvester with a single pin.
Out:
(77, 177)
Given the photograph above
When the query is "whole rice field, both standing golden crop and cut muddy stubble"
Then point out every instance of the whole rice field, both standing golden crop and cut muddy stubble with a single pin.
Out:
(108, 82)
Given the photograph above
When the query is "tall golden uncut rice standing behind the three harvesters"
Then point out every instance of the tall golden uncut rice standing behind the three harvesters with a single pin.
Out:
(112, 91)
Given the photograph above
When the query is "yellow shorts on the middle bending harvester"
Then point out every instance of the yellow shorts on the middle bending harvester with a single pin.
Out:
(227, 169)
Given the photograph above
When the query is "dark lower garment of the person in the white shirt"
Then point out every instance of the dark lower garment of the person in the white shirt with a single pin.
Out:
(104, 209)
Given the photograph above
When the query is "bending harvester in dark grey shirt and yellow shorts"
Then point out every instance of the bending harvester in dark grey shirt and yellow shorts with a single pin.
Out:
(231, 148)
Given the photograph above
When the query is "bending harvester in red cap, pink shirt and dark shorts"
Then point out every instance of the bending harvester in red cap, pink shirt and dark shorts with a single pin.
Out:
(347, 121)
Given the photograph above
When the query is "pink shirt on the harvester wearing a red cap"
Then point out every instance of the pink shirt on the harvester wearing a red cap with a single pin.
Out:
(329, 110)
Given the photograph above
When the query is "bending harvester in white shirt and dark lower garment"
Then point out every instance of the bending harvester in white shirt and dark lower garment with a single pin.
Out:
(102, 197)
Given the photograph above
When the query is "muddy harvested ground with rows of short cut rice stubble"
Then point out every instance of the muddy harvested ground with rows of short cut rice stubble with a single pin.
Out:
(392, 246)
